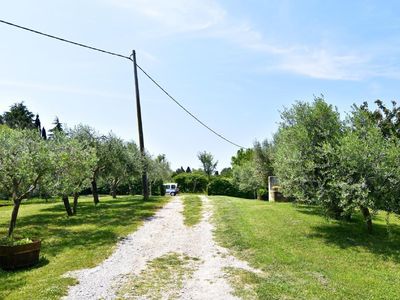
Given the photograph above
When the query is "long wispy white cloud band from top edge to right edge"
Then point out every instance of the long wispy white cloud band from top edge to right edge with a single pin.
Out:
(208, 18)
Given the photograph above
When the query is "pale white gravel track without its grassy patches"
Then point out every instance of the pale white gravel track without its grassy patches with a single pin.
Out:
(162, 234)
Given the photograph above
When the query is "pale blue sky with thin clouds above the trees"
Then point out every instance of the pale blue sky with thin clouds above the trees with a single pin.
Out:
(235, 64)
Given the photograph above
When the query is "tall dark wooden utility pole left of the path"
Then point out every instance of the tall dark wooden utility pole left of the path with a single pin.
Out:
(140, 127)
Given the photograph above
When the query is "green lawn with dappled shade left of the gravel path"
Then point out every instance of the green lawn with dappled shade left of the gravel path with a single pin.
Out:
(69, 243)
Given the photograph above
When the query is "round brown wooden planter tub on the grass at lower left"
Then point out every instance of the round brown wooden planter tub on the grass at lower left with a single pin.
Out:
(13, 257)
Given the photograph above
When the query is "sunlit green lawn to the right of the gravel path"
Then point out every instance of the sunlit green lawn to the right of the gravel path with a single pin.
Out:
(304, 255)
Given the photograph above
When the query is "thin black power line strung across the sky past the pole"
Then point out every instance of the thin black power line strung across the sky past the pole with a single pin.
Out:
(131, 59)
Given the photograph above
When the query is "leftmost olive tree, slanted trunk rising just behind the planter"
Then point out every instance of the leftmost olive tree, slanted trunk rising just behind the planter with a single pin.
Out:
(24, 162)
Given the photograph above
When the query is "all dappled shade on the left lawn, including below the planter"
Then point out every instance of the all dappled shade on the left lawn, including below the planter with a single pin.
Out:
(92, 227)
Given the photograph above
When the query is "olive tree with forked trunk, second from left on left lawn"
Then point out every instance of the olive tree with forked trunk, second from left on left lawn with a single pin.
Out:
(73, 161)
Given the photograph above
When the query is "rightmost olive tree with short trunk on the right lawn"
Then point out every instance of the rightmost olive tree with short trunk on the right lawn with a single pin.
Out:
(367, 176)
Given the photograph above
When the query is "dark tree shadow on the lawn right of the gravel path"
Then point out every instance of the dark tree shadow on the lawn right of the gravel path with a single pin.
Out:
(384, 241)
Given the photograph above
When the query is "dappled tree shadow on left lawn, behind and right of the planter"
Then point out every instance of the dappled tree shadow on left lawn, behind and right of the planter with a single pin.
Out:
(59, 232)
